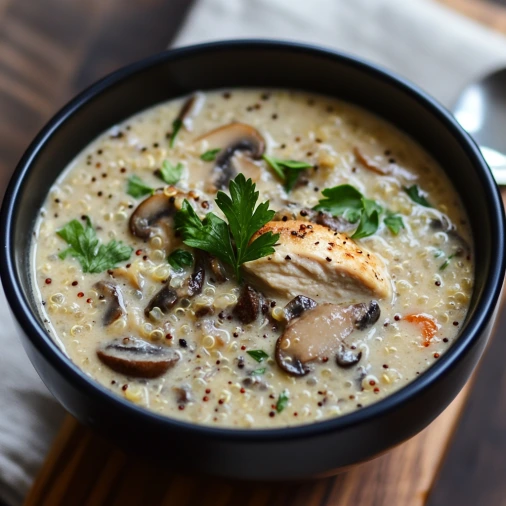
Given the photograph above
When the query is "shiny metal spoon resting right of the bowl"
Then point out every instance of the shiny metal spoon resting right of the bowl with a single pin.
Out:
(481, 110)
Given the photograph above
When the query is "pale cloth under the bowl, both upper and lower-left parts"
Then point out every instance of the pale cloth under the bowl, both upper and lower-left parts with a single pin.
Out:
(434, 47)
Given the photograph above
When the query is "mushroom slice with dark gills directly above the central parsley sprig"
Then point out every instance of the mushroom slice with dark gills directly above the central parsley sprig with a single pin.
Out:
(233, 139)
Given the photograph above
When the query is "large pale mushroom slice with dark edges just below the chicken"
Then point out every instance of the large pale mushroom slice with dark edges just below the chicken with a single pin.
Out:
(320, 332)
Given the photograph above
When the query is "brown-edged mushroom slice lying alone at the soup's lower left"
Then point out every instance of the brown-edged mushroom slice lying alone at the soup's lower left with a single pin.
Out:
(135, 357)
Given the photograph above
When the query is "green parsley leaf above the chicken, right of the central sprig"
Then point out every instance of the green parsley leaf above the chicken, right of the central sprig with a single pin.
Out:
(348, 202)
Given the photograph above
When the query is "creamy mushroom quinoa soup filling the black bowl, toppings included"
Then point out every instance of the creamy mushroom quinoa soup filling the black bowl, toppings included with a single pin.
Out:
(346, 276)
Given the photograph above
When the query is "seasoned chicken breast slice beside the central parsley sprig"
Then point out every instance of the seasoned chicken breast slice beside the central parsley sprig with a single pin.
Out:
(317, 262)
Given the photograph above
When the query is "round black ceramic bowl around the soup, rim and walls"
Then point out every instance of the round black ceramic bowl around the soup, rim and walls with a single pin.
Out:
(254, 454)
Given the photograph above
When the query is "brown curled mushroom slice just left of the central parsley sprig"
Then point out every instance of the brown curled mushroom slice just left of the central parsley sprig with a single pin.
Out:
(153, 216)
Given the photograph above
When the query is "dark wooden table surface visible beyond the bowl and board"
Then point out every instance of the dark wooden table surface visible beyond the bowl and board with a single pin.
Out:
(51, 49)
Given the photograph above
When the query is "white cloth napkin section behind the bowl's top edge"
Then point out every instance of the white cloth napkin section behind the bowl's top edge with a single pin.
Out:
(422, 40)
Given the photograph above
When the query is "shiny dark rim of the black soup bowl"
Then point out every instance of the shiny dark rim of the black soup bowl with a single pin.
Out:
(46, 346)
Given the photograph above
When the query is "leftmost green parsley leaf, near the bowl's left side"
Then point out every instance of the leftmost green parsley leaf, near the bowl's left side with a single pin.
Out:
(86, 248)
